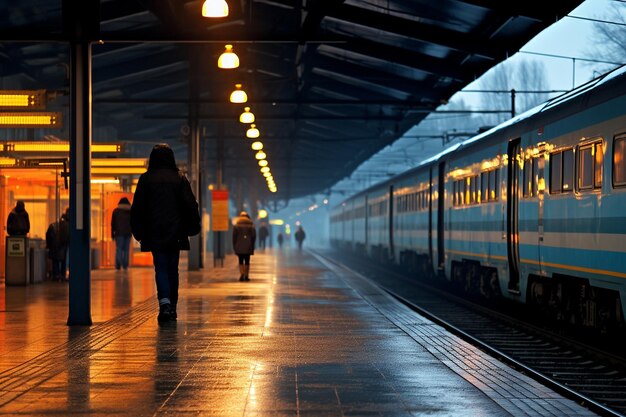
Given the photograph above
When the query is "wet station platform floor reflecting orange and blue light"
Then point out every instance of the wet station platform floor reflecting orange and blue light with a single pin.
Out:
(303, 337)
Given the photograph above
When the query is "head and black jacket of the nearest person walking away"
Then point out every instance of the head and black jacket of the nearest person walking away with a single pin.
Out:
(164, 210)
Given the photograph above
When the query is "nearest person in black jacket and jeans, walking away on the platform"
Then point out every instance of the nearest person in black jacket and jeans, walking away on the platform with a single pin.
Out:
(163, 215)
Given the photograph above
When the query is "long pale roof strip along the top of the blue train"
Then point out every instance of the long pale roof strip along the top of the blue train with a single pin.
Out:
(548, 105)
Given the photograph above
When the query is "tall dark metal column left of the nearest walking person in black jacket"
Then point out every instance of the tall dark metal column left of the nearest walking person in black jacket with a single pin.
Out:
(81, 24)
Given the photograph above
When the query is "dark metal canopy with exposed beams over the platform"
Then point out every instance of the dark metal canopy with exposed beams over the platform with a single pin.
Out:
(330, 82)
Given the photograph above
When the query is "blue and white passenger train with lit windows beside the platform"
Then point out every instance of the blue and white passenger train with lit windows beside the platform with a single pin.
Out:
(533, 210)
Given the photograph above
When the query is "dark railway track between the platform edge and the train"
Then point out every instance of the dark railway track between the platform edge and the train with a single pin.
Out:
(586, 374)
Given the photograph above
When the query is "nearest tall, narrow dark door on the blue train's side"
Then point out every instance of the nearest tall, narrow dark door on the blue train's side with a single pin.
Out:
(512, 214)
